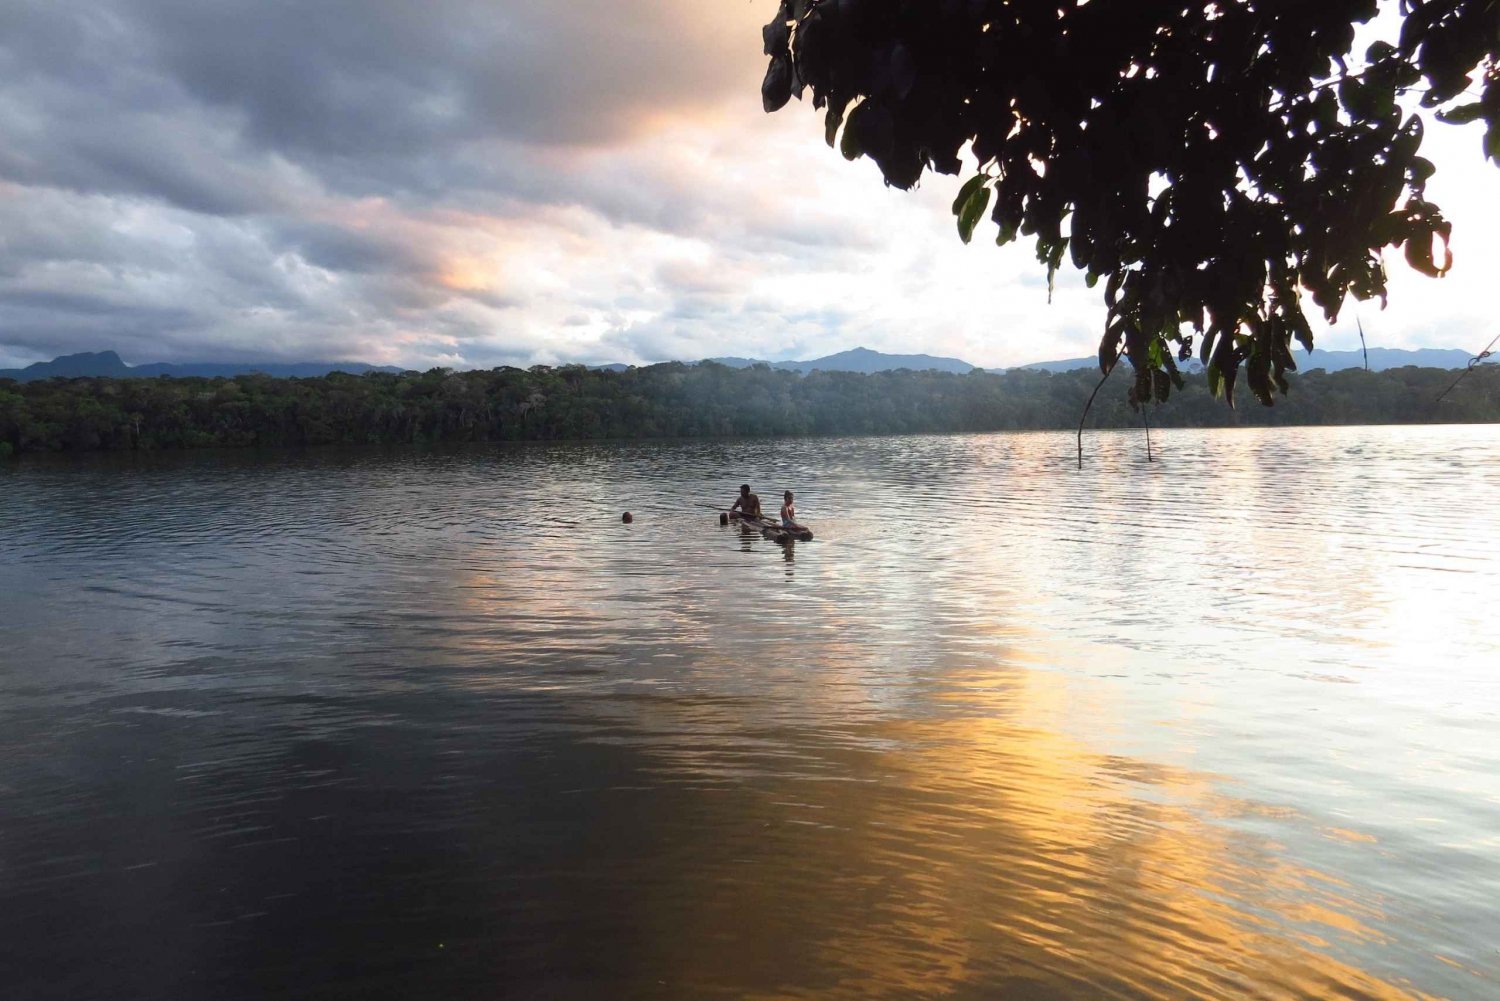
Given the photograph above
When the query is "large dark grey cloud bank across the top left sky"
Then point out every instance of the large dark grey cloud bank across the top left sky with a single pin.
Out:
(158, 97)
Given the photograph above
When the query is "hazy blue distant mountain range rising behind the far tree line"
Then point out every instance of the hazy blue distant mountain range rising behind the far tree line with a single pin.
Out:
(865, 361)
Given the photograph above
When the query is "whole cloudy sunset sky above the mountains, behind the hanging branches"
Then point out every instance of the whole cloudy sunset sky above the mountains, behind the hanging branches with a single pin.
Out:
(491, 182)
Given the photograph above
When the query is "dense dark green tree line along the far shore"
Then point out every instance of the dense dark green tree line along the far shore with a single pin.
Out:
(676, 400)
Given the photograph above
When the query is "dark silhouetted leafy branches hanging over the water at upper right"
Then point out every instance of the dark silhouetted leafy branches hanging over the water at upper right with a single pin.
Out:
(1214, 164)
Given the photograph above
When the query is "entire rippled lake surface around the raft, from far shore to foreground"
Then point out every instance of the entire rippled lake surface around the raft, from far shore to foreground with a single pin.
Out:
(440, 727)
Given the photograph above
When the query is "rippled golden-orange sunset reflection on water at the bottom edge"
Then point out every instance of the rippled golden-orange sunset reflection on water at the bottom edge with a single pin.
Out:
(983, 852)
